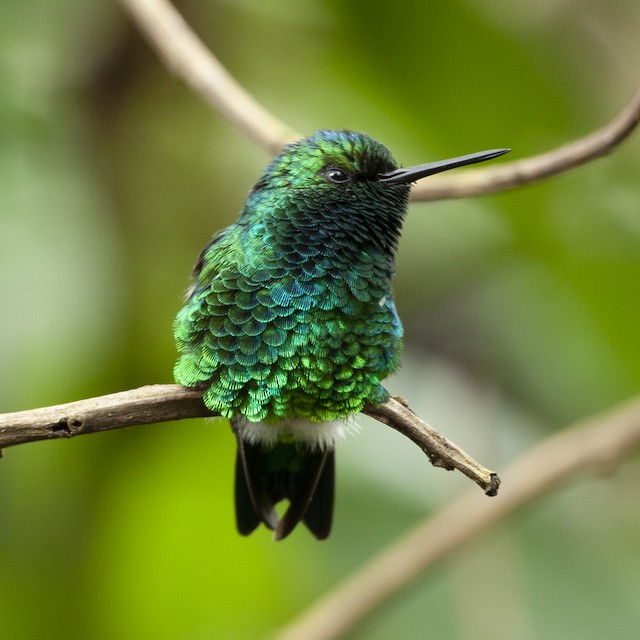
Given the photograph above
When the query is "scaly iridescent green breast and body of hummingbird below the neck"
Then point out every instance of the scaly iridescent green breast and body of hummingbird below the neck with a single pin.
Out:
(279, 327)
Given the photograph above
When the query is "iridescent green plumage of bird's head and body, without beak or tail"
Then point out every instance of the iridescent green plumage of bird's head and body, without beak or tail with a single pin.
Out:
(291, 313)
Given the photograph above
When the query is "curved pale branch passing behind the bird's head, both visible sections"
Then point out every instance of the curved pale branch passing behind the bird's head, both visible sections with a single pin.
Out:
(187, 56)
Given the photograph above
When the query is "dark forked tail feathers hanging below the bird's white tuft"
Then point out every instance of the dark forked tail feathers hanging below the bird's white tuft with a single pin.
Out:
(264, 477)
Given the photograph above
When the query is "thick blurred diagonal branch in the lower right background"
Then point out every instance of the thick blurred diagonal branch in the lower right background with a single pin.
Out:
(598, 444)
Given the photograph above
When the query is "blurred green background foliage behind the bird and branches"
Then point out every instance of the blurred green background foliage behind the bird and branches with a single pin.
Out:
(521, 312)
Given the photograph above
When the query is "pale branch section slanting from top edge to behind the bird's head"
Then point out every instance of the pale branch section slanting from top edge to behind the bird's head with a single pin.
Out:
(186, 55)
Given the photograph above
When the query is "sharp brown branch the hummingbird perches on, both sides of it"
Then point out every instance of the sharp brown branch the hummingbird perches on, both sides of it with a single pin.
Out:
(165, 402)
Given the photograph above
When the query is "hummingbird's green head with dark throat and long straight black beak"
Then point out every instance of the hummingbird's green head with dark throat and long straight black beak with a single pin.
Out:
(345, 182)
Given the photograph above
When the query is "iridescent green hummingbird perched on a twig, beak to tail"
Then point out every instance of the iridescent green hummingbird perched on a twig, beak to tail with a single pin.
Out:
(290, 324)
